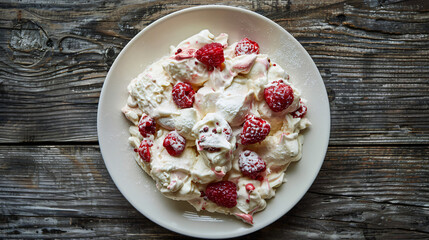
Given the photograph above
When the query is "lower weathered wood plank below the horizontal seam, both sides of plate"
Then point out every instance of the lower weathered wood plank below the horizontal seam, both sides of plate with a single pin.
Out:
(66, 192)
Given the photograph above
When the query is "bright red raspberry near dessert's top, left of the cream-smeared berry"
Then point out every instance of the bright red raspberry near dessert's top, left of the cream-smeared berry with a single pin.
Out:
(211, 54)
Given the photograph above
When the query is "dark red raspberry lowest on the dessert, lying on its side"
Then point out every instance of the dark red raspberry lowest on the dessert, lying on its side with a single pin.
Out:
(222, 193)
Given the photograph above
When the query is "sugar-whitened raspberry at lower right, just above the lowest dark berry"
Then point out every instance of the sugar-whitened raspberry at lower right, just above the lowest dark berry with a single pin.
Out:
(251, 165)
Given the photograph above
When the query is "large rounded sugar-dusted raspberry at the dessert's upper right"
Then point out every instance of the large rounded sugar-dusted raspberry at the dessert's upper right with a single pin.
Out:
(278, 96)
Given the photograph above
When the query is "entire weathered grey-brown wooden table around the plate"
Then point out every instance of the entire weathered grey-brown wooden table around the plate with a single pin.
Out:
(373, 57)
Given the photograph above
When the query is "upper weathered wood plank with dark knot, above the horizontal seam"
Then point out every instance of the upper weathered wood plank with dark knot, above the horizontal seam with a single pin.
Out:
(373, 57)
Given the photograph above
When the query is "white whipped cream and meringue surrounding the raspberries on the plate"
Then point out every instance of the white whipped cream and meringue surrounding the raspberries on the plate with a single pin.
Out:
(224, 96)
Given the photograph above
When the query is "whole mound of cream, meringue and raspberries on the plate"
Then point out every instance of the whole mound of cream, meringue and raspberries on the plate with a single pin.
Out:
(216, 124)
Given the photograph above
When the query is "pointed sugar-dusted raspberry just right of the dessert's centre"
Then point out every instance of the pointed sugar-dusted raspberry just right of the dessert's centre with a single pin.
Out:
(254, 130)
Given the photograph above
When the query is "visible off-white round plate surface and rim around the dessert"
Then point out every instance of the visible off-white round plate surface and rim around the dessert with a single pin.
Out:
(151, 44)
